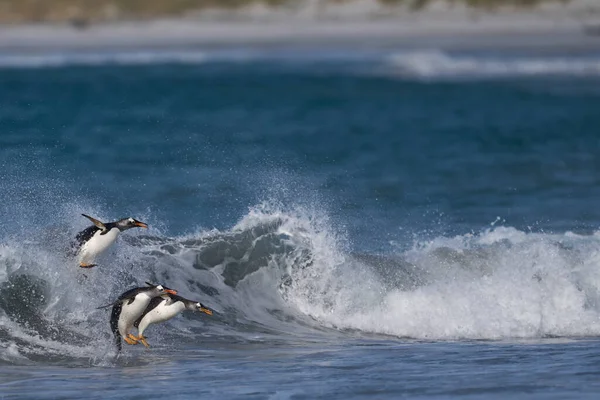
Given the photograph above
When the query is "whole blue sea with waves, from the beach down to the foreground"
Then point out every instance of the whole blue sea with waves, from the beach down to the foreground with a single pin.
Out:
(365, 223)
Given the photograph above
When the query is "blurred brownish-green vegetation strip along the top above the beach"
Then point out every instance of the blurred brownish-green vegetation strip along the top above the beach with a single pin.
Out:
(82, 12)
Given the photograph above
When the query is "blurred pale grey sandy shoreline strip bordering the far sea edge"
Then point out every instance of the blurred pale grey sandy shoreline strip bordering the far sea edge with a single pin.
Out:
(557, 27)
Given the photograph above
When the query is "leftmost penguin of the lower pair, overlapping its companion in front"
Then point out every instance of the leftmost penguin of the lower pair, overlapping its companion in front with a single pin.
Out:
(129, 307)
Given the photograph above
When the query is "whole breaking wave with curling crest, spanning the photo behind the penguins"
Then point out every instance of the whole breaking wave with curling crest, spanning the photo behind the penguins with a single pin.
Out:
(280, 274)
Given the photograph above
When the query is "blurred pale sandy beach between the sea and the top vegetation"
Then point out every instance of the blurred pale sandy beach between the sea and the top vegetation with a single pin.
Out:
(547, 26)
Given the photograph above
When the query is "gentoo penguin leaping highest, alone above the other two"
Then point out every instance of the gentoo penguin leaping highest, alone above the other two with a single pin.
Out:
(97, 238)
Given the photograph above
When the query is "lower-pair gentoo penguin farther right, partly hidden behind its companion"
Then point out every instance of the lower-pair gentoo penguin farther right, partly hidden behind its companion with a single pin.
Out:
(163, 308)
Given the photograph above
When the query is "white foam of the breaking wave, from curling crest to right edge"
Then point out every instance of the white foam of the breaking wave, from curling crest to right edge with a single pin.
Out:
(500, 283)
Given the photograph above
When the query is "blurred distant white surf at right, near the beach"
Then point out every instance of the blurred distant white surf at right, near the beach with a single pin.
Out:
(431, 64)
